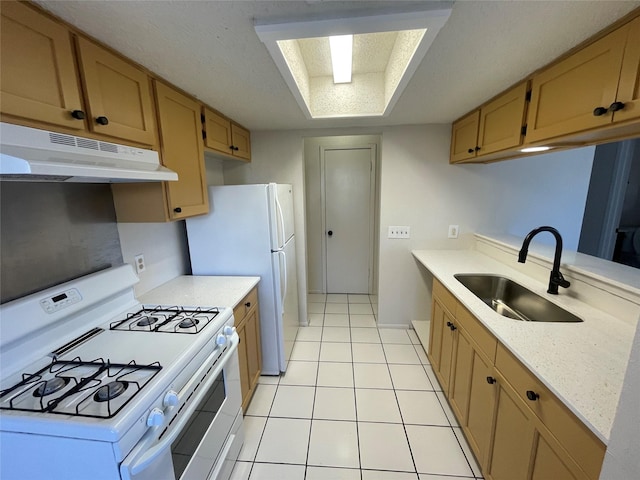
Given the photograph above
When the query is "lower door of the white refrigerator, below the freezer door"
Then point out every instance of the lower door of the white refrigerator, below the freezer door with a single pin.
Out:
(284, 270)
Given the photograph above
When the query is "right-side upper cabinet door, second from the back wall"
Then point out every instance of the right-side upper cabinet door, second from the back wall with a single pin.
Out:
(501, 121)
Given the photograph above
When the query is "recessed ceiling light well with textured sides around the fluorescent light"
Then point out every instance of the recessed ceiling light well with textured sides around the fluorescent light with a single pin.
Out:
(387, 50)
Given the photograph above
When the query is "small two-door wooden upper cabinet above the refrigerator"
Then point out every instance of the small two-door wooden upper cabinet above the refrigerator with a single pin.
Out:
(225, 136)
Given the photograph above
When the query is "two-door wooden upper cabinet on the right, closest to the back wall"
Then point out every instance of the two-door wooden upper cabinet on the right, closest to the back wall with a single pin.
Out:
(495, 127)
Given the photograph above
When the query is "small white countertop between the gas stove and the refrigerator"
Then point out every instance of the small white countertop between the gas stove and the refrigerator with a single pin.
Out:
(205, 291)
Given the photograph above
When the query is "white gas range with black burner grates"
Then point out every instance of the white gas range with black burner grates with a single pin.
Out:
(105, 388)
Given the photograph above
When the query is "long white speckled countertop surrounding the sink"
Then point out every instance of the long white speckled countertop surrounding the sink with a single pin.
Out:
(582, 363)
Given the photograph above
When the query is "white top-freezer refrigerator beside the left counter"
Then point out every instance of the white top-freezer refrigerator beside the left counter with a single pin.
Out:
(249, 231)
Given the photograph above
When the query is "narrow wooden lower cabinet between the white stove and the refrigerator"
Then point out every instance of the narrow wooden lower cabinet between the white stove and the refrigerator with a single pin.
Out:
(247, 323)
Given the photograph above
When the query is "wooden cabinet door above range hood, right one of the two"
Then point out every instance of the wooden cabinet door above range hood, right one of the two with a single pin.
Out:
(118, 95)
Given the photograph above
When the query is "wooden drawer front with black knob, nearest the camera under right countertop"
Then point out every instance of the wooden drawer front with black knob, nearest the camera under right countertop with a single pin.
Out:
(586, 449)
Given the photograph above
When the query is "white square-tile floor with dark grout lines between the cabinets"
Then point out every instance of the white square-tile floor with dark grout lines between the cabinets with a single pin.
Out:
(357, 403)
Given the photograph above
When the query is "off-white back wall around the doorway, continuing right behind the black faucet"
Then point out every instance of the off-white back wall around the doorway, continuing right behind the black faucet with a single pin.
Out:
(420, 189)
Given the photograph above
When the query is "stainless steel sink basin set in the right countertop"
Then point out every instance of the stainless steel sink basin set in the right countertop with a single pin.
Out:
(512, 300)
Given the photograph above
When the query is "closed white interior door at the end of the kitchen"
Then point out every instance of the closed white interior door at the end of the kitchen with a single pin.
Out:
(348, 200)
